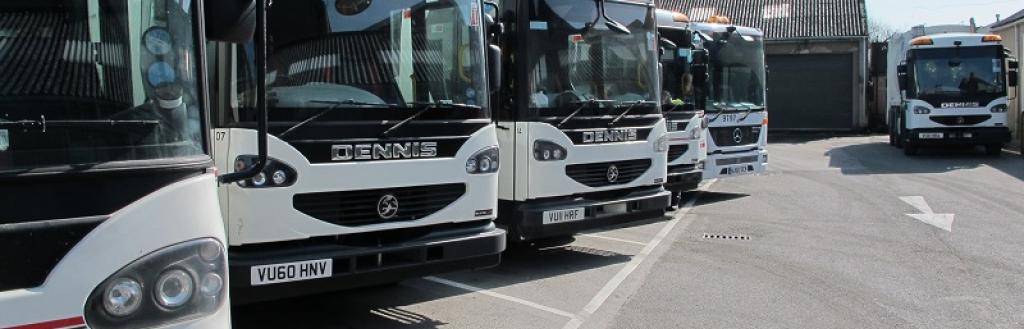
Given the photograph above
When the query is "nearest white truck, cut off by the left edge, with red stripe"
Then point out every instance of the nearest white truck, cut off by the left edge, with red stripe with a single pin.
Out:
(110, 214)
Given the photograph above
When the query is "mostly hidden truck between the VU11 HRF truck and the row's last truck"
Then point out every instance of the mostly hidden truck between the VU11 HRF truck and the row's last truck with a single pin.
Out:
(686, 117)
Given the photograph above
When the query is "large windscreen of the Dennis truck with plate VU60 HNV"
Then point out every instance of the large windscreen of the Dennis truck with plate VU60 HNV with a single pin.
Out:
(373, 60)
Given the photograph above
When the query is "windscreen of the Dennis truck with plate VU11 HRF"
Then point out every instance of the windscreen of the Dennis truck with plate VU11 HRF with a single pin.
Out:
(574, 58)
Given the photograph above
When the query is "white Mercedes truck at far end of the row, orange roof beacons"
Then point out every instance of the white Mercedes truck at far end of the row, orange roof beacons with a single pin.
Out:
(731, 81)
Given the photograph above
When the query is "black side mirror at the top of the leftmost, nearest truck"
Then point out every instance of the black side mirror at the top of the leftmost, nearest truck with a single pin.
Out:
(230, 21)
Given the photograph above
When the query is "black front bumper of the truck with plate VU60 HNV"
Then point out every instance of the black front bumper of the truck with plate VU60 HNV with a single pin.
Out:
(393, 259)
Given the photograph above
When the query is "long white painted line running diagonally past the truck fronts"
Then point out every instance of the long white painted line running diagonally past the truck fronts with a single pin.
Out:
(611, 287)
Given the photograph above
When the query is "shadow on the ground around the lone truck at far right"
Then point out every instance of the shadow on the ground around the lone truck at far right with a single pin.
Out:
(880, 158)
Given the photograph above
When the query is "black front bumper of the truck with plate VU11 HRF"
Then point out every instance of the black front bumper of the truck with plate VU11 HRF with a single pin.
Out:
(526, 220)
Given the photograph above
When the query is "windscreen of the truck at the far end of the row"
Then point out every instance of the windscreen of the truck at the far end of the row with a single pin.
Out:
(737, 74)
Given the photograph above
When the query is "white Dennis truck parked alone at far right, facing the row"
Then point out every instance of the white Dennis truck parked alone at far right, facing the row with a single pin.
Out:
(949, 90)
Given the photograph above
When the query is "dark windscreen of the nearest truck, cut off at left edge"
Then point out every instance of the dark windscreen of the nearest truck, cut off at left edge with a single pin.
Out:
(84, 84)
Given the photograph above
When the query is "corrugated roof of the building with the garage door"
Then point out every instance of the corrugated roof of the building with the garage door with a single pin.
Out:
(783, 20)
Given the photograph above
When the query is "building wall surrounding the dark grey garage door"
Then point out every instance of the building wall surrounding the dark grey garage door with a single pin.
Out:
(856, 47)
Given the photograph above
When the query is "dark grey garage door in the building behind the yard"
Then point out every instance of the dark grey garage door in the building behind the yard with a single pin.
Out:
(810, 92)
